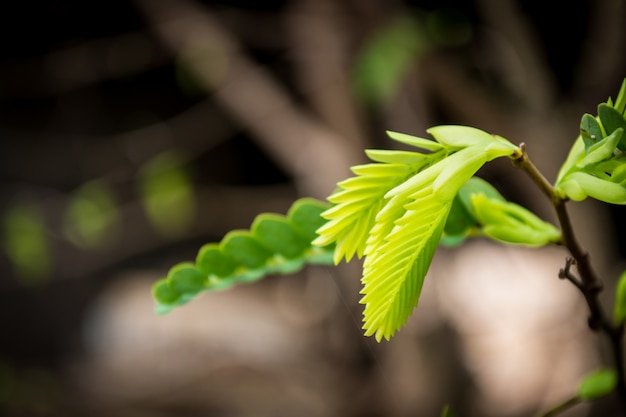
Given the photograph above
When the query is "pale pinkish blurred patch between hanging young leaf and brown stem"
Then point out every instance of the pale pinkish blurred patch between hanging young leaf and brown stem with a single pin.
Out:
(523, 331)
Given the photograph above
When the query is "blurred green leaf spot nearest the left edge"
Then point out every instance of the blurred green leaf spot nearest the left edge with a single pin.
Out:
(26, 243)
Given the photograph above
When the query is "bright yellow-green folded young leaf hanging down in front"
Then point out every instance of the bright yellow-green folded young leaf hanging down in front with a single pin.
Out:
(407, 229)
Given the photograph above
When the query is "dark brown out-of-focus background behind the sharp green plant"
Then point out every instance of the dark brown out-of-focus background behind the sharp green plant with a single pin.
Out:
(133, 132)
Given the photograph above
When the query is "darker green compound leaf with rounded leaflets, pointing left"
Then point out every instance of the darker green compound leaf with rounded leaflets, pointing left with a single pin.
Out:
(275, 244)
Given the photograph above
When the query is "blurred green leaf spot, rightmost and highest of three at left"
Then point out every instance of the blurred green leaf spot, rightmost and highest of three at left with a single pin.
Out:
(167, 194)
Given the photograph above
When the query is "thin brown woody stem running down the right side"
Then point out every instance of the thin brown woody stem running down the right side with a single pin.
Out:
(589, 284)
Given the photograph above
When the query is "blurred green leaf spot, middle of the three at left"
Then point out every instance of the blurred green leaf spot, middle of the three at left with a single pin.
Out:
(91, 219)
